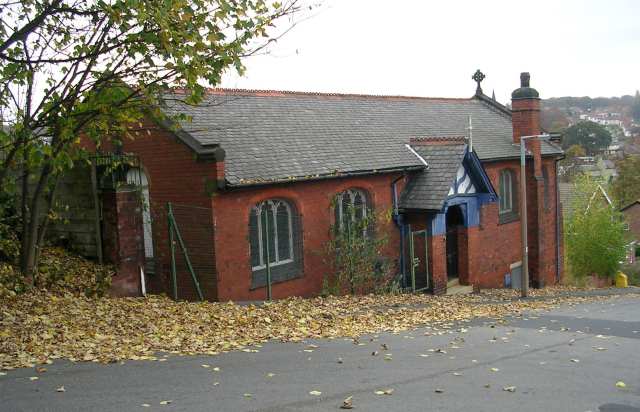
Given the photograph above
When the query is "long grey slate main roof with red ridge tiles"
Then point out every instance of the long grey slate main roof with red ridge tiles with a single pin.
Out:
(278, 136)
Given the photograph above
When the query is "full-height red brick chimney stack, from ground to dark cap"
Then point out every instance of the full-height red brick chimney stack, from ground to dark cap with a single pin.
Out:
(525, 115)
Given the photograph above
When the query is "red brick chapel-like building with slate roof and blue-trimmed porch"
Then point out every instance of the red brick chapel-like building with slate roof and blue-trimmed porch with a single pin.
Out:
(258, 179)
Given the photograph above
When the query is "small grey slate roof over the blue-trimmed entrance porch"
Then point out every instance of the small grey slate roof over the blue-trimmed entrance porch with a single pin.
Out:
(428, 189)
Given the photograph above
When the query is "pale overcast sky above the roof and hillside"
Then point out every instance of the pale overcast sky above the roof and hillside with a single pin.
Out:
(431, 48)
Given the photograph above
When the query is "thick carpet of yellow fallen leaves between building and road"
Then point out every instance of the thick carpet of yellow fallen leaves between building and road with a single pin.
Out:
(43, 325)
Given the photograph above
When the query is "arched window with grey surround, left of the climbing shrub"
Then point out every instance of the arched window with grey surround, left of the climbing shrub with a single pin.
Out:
(275, 241)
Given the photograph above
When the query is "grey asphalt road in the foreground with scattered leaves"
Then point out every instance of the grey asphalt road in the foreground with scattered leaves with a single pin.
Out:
(569, 359)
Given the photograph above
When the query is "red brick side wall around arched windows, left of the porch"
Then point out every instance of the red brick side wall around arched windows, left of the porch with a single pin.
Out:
(313, 202)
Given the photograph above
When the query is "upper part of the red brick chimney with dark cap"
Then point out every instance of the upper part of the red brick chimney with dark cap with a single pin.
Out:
(525, 109)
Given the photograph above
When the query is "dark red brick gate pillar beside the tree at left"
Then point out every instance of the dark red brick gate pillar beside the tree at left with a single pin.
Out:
(123, 239)
